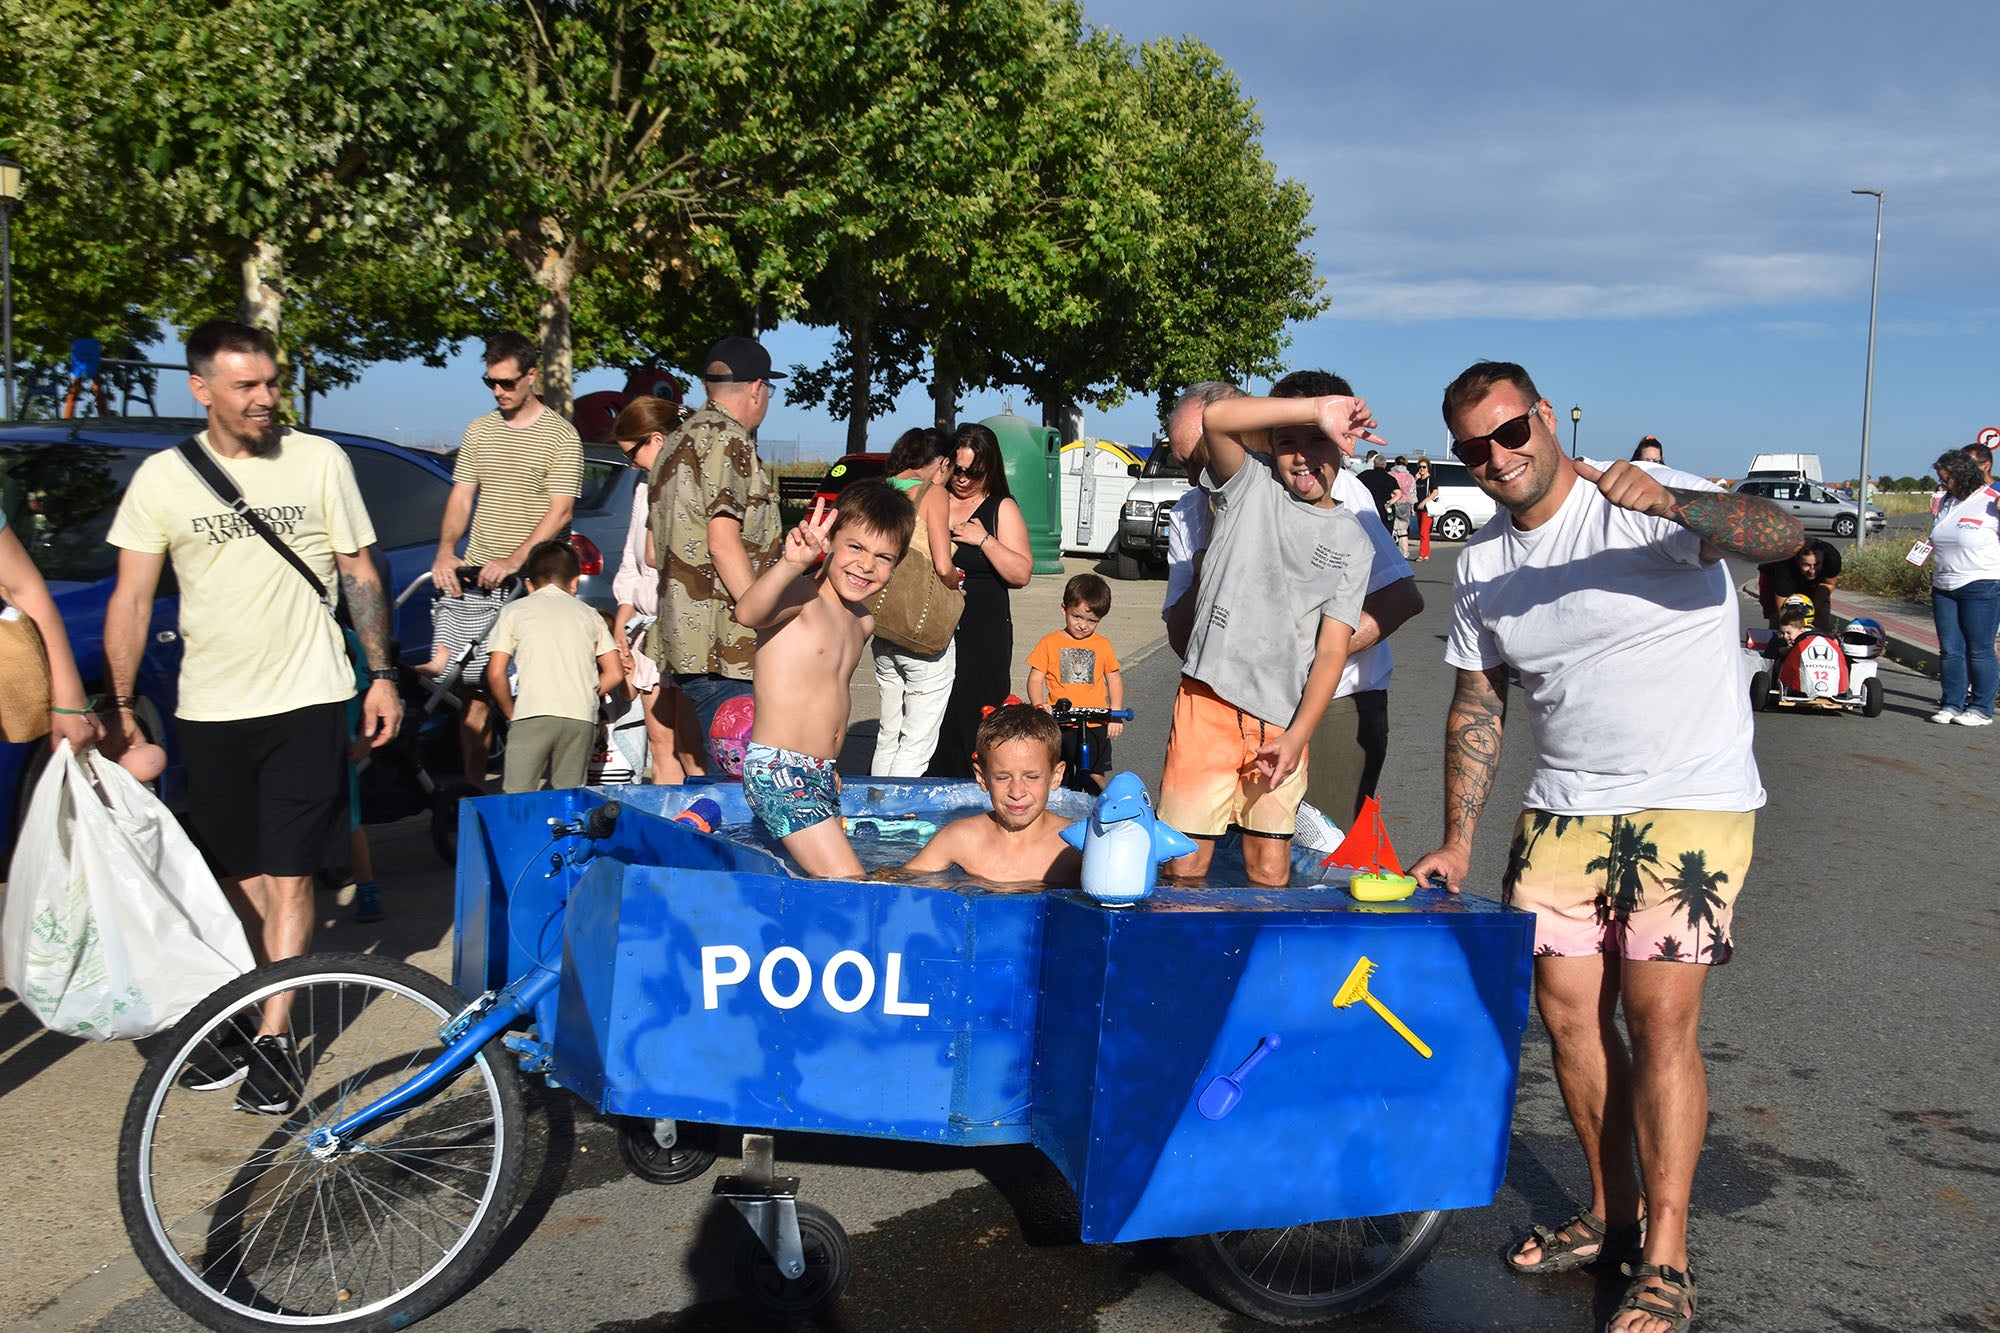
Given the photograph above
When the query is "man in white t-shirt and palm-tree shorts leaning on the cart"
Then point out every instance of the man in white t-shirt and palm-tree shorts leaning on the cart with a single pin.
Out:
(1605, 589)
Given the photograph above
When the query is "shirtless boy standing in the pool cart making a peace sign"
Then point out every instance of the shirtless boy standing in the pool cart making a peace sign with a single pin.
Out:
(811, 635)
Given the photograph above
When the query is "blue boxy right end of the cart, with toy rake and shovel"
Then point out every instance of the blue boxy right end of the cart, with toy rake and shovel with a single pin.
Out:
(1143, 1008)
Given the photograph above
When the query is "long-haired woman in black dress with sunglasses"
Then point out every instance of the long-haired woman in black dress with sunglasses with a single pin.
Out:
(991, 545)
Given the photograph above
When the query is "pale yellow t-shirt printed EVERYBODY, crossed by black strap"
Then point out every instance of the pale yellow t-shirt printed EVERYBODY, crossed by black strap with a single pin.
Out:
(255, 639)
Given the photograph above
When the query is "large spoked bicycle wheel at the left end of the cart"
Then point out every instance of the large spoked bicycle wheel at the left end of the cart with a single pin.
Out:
(245, 1228)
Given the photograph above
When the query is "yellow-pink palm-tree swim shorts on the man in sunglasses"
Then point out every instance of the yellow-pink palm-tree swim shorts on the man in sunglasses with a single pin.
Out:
(1653, 888)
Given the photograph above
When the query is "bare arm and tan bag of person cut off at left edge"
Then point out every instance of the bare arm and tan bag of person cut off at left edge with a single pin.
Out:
(41, 692)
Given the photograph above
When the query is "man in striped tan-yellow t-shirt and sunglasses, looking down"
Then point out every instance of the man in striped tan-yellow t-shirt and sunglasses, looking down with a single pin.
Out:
(523, 465)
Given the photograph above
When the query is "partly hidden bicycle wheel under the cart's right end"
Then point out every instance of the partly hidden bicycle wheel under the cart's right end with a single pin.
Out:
(1315, 1272)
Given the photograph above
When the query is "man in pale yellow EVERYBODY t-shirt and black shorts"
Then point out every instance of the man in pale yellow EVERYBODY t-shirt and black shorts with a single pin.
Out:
(265, 674)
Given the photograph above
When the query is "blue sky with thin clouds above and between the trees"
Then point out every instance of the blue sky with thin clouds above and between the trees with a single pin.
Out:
(1645, 205)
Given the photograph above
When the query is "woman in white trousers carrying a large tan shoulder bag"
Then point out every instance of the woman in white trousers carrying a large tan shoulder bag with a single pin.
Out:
(917, 613)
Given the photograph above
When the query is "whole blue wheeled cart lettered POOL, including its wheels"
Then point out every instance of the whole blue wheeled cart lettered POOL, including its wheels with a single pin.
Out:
(685, 982)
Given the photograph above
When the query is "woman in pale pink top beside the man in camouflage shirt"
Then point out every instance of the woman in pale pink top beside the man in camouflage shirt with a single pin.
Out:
(673, 734)
